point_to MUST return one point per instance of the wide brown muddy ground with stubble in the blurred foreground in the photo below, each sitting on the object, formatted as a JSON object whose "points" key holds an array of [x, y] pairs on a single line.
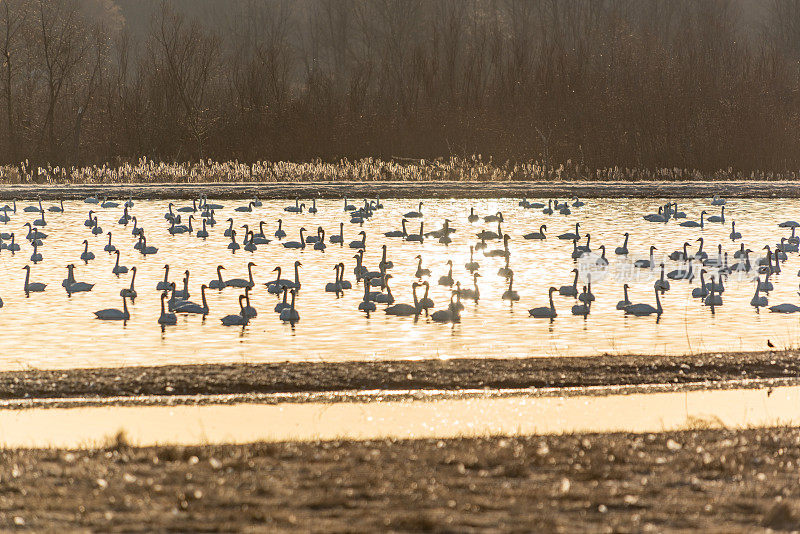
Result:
{"points": [[716, 480]]}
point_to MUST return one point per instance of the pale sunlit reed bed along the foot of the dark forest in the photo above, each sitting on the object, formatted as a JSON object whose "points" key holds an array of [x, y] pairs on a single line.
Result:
{"points": [[455, 169]]}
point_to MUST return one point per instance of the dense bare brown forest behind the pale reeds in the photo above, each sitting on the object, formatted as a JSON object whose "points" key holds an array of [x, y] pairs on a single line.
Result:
{"points": [[640, 83]]}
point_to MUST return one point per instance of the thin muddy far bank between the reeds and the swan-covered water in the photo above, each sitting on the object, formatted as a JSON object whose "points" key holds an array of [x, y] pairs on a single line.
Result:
{"points": [[337, 190]]}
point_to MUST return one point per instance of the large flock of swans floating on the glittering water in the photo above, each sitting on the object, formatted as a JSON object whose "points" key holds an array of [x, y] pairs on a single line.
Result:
{"points": [[198, 220]]}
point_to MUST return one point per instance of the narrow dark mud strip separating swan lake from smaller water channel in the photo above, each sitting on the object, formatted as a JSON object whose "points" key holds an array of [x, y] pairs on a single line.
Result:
{"points": [[453, 374]]}
